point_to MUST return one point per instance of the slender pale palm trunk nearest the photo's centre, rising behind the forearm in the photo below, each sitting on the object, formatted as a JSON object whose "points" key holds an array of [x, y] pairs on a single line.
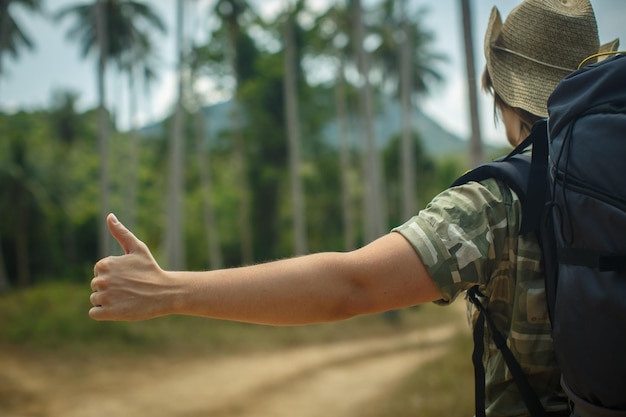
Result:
{"points": [[293, 137]]}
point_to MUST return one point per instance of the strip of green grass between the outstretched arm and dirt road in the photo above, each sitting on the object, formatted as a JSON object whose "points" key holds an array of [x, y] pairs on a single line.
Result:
{"points": [[54, 316]]}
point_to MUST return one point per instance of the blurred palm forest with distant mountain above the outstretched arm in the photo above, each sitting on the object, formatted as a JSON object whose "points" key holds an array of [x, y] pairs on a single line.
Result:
{"points": [[286, 165]]}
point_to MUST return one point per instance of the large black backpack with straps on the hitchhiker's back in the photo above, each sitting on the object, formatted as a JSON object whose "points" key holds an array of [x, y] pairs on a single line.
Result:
{"points": [[573, 195]]}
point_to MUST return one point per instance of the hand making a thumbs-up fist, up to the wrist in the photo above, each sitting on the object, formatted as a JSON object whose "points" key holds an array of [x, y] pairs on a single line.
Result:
{"points": [[129, 287]]}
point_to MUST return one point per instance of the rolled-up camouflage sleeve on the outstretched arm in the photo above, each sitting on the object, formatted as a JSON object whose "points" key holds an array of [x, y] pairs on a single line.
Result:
{"points": [[464, 234]]}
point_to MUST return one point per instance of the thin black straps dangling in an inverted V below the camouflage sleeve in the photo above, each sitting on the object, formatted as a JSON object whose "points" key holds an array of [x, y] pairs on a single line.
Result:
{"points": [[529, 396]]}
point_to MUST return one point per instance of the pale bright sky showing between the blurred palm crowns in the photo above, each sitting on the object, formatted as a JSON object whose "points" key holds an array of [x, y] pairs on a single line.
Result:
{"points": [[55, 63]]}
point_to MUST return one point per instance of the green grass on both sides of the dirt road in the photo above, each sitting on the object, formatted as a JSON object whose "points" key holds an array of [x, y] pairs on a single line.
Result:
{"points": [[52, 319]]}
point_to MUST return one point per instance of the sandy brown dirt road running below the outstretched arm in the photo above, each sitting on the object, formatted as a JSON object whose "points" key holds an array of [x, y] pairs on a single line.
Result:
{"points": [[337, 379]]}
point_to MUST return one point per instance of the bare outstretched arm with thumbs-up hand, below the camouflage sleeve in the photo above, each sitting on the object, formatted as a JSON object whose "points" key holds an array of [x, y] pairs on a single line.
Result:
{"points": [[386, 274]]}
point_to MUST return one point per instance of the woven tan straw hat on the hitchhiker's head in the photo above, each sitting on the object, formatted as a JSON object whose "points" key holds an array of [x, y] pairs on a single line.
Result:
{"points": [[540, 43]]}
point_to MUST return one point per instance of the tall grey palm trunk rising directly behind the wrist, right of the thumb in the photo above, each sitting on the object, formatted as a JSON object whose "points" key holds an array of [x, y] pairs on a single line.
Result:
{"points": [[174, 243]]}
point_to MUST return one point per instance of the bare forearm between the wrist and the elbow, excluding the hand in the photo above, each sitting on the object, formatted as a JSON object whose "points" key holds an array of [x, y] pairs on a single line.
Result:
{"points": [[308, 289]]}
